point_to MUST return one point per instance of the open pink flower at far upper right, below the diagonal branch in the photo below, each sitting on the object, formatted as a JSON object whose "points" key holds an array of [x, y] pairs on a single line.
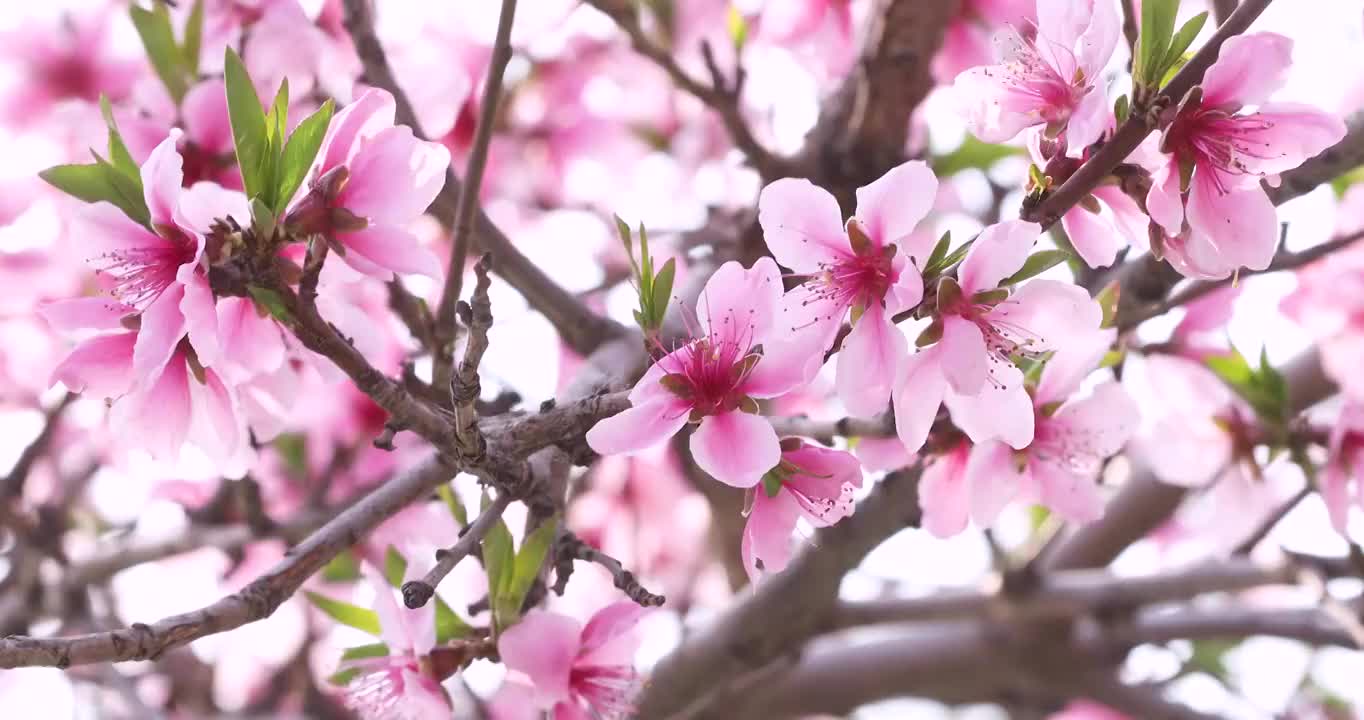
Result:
{"points": [[1208, 196]]}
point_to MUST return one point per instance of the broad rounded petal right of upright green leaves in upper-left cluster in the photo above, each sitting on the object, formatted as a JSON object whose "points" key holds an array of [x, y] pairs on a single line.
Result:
{"points": [[395, 178]]}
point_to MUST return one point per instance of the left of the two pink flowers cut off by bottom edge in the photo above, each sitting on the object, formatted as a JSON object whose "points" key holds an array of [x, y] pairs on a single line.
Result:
{"points": [[399, 687]]}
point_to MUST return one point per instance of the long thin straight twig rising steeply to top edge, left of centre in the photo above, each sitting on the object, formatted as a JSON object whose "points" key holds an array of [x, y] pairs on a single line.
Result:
{"points": [[469, 205]]}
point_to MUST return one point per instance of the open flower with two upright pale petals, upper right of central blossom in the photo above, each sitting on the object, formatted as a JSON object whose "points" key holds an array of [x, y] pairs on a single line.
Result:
{"points": [[861, 269]]}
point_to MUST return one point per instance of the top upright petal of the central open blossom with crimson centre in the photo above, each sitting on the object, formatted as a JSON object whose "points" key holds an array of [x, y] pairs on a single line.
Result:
{"points": [[741, 305]]}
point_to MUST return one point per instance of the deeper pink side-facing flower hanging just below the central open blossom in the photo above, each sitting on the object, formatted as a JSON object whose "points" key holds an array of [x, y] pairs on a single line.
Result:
{"points": [[811, 482]]}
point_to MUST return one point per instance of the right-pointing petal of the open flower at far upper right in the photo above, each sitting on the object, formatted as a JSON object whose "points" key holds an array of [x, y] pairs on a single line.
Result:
{"points": [[1296, 133]]}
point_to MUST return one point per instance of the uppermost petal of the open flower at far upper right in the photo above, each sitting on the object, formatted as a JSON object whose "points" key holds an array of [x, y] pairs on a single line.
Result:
{"points": [[1249, 70]]}
